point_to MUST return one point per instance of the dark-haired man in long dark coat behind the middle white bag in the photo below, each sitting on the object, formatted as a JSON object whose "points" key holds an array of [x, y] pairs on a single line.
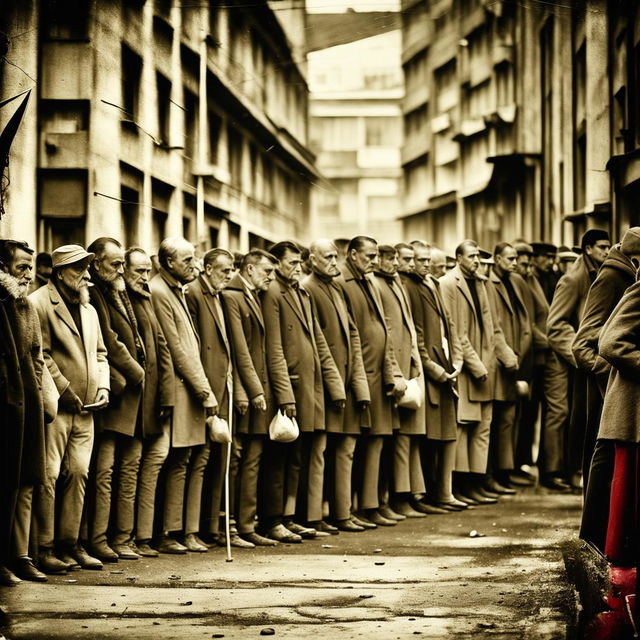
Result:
{"points": [[295, 344]]}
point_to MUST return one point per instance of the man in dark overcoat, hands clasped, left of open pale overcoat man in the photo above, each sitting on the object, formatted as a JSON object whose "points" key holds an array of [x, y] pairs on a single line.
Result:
{"points": [[441, 361]]}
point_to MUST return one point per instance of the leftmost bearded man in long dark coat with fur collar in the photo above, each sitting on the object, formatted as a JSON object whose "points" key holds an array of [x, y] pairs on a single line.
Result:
{"points": [[16, 266]]}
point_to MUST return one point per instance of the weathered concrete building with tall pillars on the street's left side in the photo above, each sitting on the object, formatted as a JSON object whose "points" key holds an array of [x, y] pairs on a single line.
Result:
{"points": [[158, 118]]}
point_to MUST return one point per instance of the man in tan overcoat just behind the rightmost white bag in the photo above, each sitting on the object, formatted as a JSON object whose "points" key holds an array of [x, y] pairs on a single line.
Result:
{"points": [[405, 477]]}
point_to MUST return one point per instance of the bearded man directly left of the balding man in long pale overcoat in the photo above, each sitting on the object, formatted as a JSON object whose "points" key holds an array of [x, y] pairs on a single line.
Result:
{"points": [[157, 397]]}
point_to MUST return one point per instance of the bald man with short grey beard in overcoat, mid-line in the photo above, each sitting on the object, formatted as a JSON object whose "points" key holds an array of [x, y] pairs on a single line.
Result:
{"points": [[343, 425]]}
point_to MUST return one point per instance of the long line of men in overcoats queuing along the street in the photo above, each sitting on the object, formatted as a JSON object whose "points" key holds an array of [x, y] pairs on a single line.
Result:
{"points": [[110, 377]]}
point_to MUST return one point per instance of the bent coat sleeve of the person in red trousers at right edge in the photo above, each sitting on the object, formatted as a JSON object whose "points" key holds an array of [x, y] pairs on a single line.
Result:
{"points": [[619, 342]]}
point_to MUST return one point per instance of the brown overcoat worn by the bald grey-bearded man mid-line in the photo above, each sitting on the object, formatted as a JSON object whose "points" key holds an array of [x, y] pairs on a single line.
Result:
{"points": [[343, 341]]}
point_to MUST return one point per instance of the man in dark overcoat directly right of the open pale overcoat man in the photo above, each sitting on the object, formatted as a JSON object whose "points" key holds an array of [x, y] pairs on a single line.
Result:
{"points": [[507, 292]]}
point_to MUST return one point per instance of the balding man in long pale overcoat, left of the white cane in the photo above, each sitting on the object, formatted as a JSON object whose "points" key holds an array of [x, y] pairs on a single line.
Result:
{"points": [[194, 399]]}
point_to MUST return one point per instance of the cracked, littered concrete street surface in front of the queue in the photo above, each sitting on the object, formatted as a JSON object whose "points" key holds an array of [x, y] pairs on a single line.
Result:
{"points": [[423, 578]]}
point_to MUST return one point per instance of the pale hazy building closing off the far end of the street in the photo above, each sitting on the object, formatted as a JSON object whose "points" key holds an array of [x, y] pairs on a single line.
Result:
{"points": [[355, 123]]}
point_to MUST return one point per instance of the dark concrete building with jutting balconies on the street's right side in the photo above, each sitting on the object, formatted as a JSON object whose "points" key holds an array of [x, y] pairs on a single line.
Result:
{"points": [[519, 120]]}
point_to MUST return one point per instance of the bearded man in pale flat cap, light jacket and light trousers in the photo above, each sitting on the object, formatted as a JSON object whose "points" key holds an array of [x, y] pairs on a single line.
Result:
{"points": [[76, 357]]}
